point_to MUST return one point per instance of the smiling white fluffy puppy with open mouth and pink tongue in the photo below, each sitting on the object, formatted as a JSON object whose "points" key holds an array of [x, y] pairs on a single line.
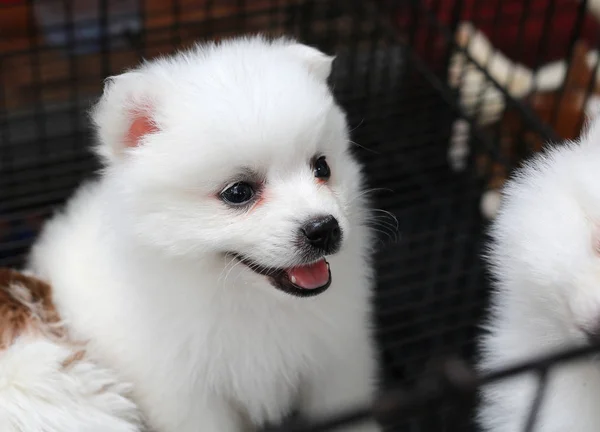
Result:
{"points": [[221, 262]]}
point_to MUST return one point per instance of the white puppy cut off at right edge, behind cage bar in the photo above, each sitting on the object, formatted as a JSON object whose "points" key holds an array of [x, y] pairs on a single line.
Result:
{"points": [[545, 258]]}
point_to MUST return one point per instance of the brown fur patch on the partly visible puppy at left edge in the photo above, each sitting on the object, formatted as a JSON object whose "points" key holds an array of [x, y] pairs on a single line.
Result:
{"points": [[26, 307]]}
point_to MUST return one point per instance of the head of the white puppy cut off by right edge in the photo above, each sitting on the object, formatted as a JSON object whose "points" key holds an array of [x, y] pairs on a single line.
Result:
{"points": [[545, 252]]}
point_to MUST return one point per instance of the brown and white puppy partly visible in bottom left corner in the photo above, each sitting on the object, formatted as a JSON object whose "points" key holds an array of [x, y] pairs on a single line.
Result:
{"points": [[47, 380]]}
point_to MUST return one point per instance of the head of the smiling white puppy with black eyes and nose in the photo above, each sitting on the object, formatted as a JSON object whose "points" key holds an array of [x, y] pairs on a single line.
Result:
{"points": [[234, 150]]}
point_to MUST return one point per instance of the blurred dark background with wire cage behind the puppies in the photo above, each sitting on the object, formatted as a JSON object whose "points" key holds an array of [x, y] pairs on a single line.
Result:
{"points": [[445, 98]]}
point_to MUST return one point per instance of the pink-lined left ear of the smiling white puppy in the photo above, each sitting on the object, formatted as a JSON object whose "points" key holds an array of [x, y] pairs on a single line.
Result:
{"points": [[124, 116]]}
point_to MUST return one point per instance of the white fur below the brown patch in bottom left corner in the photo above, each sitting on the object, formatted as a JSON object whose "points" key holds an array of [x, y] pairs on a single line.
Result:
{"points": [[38, 393]]}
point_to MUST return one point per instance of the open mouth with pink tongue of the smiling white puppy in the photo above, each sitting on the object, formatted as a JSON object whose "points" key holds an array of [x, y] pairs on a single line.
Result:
{"points": [[307, 280]]}
